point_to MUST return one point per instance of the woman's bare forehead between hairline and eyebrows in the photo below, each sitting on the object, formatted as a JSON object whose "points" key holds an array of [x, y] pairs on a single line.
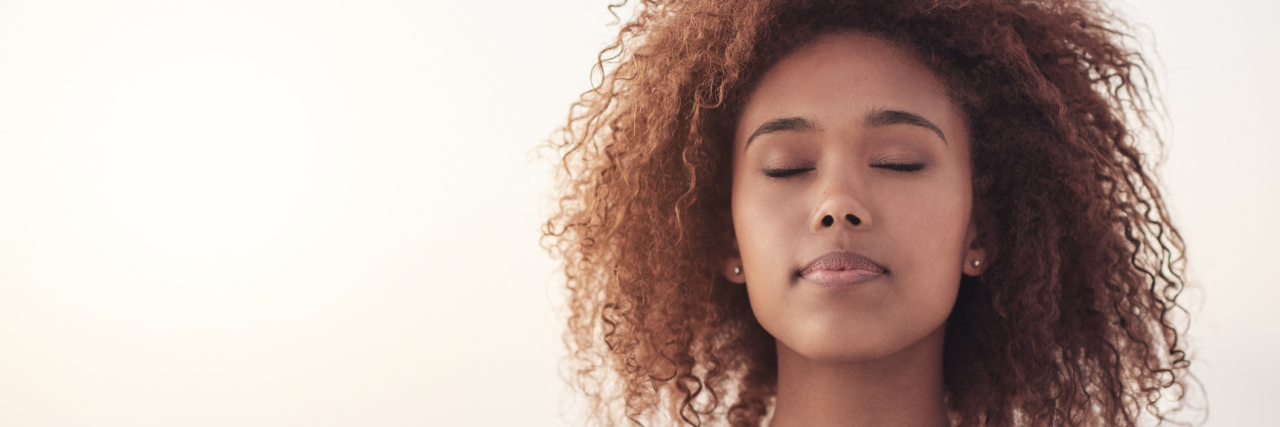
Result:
{"points": [[843, 76]]}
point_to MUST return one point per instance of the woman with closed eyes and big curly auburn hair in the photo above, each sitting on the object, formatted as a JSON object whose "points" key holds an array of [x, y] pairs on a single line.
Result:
{"points": [[868, 214]]}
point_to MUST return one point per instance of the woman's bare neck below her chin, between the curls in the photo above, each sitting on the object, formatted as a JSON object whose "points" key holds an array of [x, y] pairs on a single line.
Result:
{"points": [[902, 391]]}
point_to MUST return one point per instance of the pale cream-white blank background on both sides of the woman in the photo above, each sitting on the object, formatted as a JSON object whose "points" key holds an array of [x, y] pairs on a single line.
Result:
{"points": [[326, 213]]}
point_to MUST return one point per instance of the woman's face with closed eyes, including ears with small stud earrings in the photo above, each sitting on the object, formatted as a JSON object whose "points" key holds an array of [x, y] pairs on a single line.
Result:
{"points": [[852, 201]]}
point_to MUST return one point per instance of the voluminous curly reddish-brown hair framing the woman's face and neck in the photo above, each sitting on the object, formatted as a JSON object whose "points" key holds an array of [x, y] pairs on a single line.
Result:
{"points": [[1076, 322]]}
